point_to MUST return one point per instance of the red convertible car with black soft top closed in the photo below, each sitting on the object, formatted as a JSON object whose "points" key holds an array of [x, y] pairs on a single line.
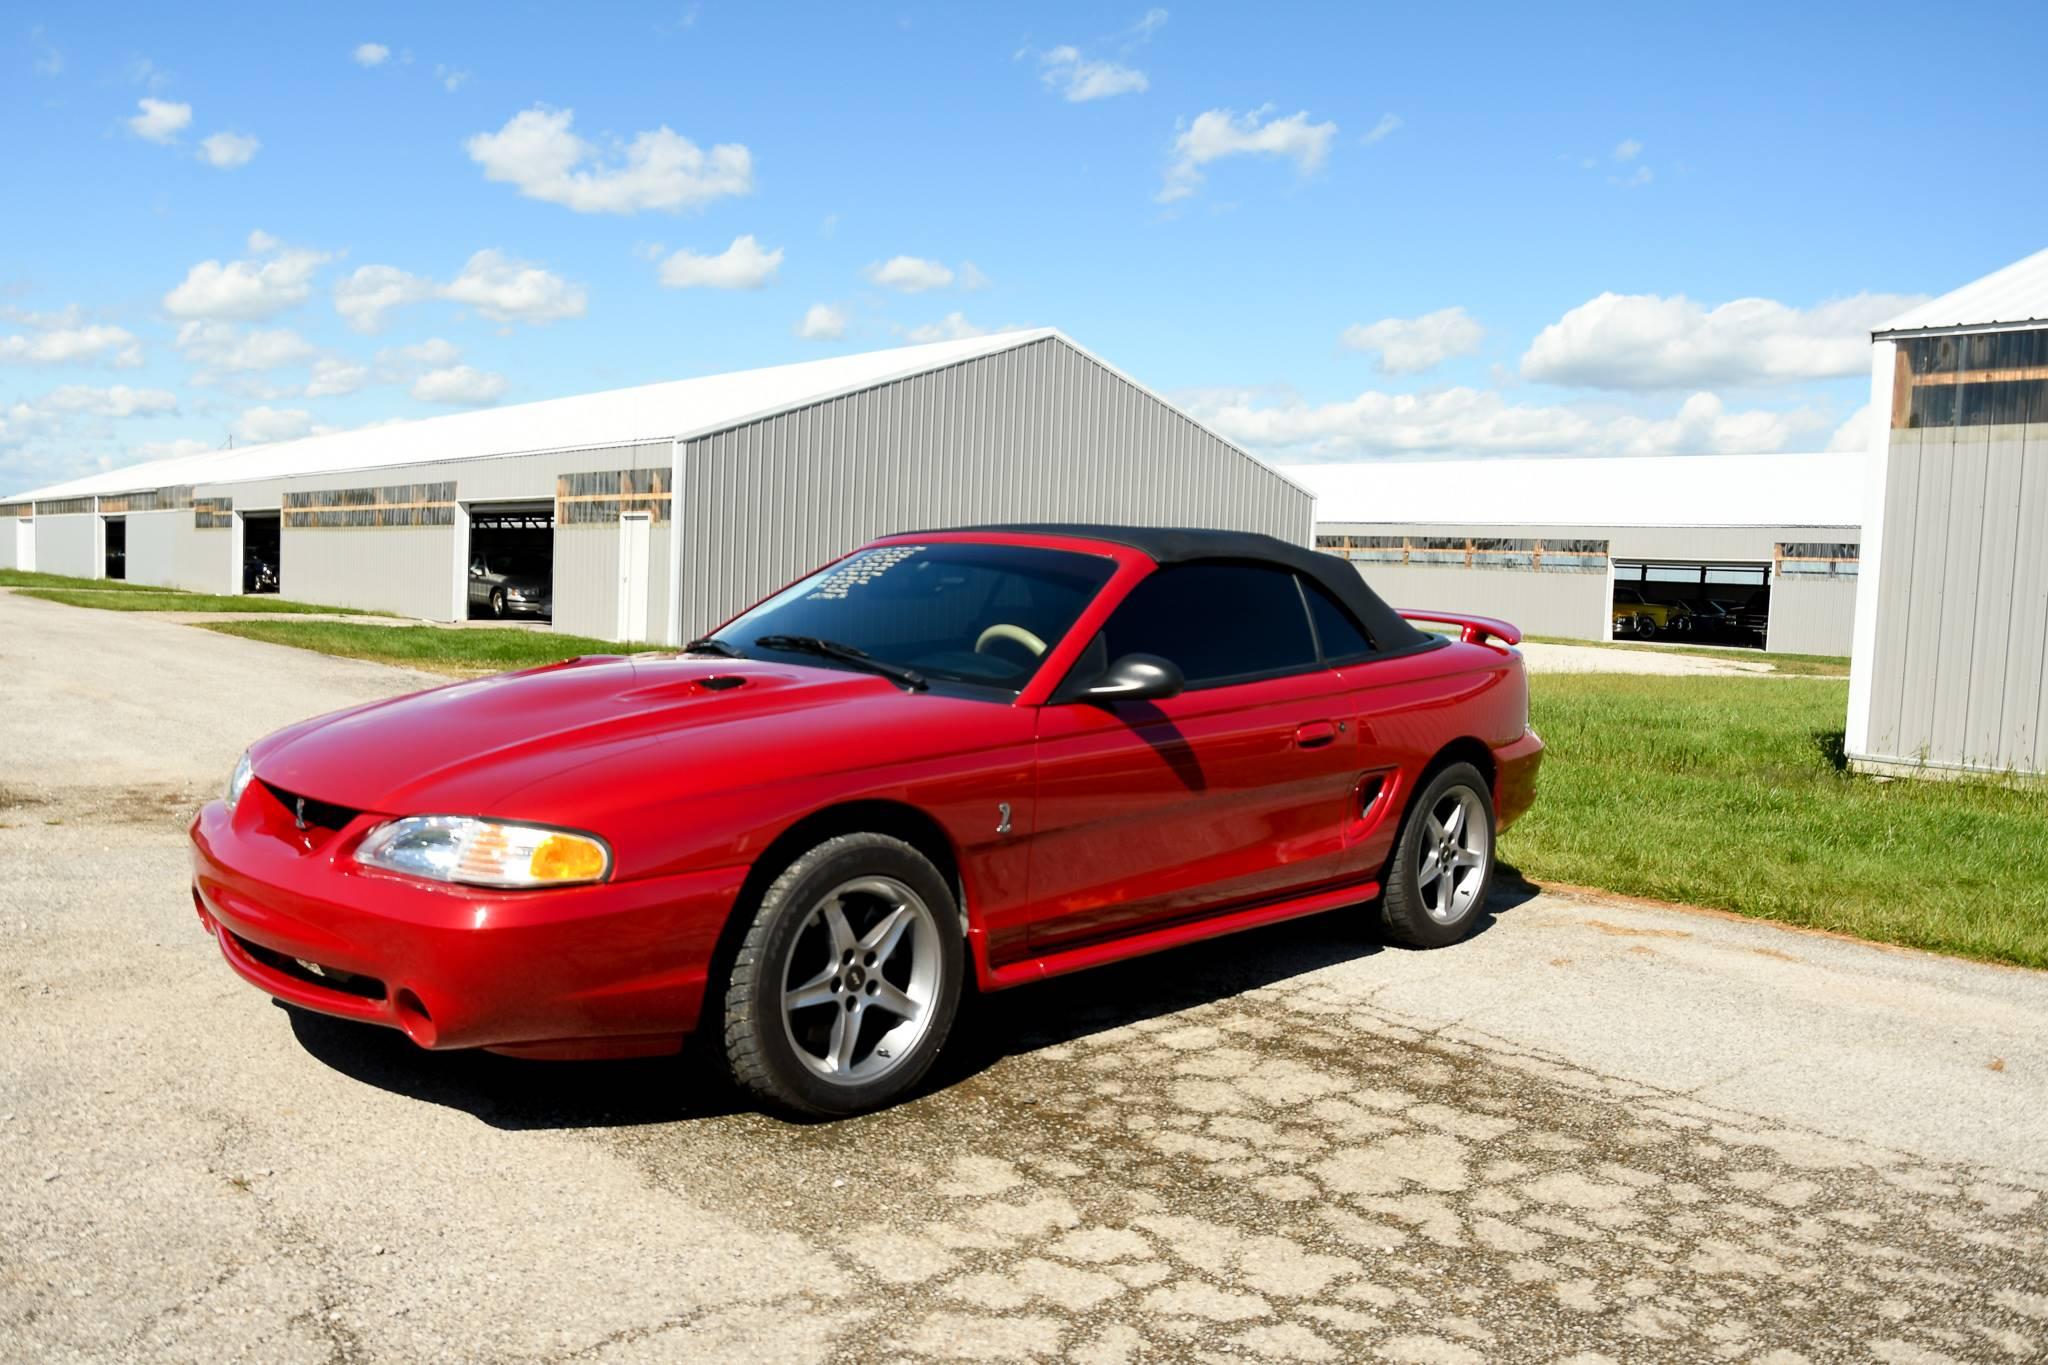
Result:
{"points": [[968, 756]]}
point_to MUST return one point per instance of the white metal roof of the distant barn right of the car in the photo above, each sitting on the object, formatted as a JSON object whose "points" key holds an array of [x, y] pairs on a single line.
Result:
{"points": [[1662, 490]]}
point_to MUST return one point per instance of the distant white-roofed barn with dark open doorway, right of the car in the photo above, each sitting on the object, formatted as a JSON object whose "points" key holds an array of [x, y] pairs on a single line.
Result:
{"points": [[1715, 549]]}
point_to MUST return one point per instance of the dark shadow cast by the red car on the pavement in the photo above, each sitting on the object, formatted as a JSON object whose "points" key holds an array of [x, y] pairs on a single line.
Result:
{"points": [[515, 1094]]}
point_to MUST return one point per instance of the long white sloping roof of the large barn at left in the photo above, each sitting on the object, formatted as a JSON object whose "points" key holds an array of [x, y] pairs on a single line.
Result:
{"points": [[622, 416]]}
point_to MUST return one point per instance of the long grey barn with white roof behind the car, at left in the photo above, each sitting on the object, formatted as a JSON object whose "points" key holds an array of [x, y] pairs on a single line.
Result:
{"points": [[667, 509]]}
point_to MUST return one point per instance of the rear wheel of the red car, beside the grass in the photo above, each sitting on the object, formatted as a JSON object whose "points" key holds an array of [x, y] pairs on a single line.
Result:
{"points": [[1443, 863]]}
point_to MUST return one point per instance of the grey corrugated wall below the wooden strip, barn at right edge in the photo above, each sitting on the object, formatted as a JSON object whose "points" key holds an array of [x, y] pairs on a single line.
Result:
{"points": [[1963, 611]]}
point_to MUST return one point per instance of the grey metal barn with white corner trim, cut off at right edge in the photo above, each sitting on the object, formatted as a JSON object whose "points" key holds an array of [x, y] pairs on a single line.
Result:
{"points": [[1951, 635]]}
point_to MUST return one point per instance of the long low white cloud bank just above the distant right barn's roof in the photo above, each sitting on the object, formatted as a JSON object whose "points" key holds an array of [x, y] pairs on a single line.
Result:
{"points": [[1484, 423]]}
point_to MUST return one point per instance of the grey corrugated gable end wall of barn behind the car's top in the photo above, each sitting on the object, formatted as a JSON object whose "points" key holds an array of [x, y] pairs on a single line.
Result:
{"points": [[1031, 435]]}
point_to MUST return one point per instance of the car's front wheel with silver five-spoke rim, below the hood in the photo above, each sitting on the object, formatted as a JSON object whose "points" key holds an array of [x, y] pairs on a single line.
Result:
{"points": [[849, 979]]}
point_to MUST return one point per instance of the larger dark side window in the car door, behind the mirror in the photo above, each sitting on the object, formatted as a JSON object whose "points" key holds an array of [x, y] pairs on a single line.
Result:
{"points": [[1215, 621]]}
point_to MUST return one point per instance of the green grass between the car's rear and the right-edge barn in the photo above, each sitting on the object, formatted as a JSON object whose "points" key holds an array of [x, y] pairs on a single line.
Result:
{"points": [[1732, 793]]}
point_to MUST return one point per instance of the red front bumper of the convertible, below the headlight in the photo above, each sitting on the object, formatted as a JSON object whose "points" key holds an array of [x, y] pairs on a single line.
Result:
{"points": [[587, 971]]}
